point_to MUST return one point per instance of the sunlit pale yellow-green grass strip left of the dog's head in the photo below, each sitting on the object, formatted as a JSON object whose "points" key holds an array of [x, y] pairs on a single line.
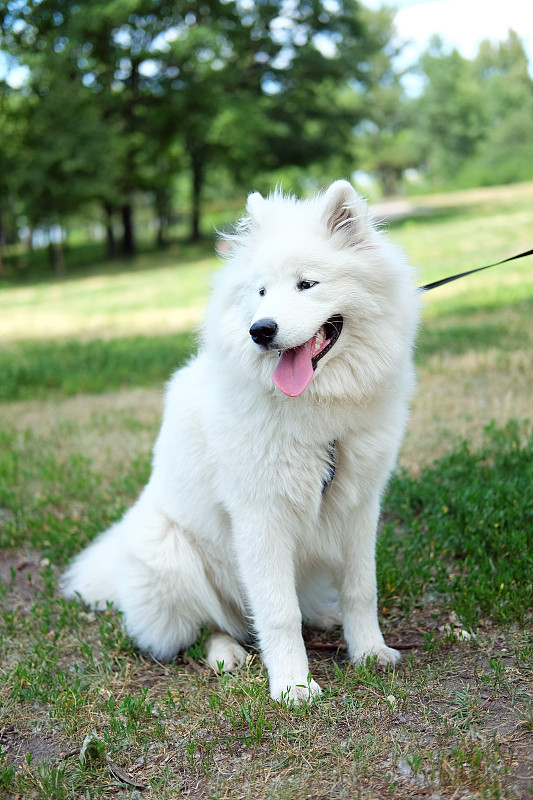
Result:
{"points": [[161, 300]]}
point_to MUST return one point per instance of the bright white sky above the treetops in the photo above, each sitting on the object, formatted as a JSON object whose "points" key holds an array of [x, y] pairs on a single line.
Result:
{"points": [[461, 23]]}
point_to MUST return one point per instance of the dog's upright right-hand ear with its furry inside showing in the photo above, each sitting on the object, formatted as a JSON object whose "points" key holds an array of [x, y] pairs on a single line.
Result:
{"points": [[345, 212]]}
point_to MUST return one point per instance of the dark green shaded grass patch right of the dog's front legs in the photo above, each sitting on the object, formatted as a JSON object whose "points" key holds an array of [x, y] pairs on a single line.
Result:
{"points": [[462, 530]]}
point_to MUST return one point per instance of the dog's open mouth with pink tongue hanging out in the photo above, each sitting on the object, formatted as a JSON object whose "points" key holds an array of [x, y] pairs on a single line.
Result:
{"points": [[296, 365]]}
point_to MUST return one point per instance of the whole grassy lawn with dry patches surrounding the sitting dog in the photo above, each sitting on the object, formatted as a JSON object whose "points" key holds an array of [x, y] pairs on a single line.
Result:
{"points": [[84, 714]]}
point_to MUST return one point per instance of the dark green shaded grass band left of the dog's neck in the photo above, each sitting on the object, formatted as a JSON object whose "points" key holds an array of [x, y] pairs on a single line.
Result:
{"points": [[34, 370]]}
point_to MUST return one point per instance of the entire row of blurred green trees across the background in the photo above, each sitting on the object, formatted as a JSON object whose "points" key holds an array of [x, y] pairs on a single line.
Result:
{"points": [[131, 109]]}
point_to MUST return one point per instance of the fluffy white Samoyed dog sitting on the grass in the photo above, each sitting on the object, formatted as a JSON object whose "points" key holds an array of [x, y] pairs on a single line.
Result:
{"points": [[276, 444]]}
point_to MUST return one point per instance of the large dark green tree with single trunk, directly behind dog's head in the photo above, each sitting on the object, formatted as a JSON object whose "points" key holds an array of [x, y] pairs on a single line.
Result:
{"points": [[258, 86]]}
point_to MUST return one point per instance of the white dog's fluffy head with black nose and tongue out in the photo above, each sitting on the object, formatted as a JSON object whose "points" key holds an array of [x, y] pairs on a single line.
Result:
{"points": [[313, 298]]}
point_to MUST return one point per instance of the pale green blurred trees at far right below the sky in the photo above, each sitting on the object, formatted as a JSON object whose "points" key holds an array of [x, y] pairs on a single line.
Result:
{"points": [[474, 117]]}
